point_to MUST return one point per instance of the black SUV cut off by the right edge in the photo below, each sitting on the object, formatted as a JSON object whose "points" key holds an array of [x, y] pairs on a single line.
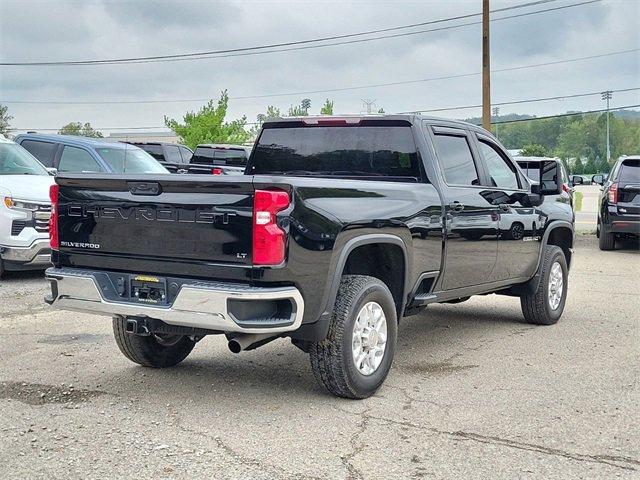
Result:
{"points": [[619, 202]]}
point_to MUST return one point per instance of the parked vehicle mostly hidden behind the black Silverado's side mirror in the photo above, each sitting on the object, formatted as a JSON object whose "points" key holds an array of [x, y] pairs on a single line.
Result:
{"points": [[550, 173]]}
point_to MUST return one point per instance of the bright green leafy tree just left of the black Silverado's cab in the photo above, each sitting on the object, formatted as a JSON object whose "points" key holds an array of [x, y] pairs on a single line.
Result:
{"points": [[208, 125]]}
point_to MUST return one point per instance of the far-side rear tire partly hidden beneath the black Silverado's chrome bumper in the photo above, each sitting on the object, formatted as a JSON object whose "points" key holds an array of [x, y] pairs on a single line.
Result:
{"points": [[152, 350]]}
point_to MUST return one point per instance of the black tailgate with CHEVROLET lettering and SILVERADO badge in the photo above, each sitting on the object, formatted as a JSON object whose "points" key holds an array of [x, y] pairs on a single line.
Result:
{"points": [[177, 218]]}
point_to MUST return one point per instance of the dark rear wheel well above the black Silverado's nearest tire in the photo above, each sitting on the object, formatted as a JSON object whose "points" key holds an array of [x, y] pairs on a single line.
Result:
{"points": [[384, 261]]}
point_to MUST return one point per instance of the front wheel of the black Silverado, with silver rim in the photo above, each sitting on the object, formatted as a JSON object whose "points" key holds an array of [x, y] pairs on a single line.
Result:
{"points": [[546, 304]]}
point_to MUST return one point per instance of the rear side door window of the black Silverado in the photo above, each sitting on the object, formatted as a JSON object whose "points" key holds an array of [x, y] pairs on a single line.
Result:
{"points": [[456, 159]]}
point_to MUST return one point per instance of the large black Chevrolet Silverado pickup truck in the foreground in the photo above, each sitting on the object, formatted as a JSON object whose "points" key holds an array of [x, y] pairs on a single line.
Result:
{"points": [[339, 228]]}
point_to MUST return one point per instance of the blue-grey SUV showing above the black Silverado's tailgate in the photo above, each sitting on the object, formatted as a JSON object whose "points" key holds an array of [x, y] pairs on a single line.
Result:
{"points": [[72, 154]]}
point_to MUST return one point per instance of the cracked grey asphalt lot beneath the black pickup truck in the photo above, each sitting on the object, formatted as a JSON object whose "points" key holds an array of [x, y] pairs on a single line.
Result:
{"points": [[474, 393]]}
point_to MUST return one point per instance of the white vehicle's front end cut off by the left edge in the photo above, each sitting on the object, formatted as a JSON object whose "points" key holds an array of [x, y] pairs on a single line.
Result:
{"points": [[24, 211]]}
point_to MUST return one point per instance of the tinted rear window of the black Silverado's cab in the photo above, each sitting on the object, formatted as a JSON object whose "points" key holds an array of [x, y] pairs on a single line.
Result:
{"points": [[371, 151]]}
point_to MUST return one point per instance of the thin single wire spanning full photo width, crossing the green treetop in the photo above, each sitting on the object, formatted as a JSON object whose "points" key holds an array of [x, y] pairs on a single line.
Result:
{"points": [[330, 90]]}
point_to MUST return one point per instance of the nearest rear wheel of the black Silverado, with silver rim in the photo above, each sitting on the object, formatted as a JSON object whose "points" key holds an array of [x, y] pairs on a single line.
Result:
{"points": [[355, 358]]}
